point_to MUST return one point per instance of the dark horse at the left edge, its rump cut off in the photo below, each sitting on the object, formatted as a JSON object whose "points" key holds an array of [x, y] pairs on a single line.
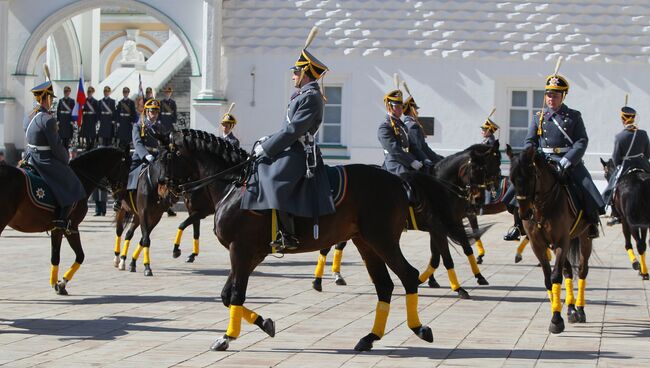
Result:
{"points": [[20, 213]]}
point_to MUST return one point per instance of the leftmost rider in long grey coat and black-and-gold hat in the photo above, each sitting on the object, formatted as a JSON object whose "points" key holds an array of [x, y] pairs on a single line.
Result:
{"points": [[50, 158]]}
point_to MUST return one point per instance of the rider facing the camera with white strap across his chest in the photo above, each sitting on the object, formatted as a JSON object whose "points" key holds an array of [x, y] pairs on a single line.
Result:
{"points": [[563, 138]]}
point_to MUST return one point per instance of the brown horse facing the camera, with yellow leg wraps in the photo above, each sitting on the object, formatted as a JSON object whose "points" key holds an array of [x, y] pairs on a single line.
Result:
{"points": [[551, 220]]}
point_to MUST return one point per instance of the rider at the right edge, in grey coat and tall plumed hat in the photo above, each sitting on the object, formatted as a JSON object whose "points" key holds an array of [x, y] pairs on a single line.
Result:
{"points": [[631, 150]]}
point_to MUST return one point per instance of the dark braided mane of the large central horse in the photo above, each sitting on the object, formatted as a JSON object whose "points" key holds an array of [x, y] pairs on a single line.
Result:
{"points": [[199, 141]]}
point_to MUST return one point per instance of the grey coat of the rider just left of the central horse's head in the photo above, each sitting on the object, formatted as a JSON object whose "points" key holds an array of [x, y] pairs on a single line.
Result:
{"points": [[142, 146]]}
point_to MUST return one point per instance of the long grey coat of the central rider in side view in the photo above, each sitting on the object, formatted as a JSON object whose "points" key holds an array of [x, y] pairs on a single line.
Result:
{"points": [[279, 179]]}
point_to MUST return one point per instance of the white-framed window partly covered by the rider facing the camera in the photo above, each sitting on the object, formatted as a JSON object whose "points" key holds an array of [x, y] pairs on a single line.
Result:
{"points": [[524, 104]]}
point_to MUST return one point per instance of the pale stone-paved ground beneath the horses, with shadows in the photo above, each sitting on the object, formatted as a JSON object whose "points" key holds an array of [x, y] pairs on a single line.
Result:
{"points": [[120, 319]]}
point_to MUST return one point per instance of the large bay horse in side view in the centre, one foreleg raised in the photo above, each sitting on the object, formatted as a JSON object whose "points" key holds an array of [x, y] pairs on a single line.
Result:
{"points": [[372, 214]]}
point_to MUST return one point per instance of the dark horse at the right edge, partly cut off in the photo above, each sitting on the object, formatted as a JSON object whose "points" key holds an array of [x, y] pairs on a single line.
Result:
{"points": [[631, 201]]}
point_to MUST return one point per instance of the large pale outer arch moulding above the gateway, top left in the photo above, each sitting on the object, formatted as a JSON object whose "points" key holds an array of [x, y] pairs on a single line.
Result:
{"points": [[26, 59]]}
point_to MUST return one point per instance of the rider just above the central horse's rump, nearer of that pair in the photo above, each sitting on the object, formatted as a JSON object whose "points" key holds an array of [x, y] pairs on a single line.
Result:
{"points": [[394, 138]]}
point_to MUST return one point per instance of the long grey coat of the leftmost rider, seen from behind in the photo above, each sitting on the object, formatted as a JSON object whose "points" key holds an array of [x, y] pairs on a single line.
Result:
{"points": [[52, 163]]}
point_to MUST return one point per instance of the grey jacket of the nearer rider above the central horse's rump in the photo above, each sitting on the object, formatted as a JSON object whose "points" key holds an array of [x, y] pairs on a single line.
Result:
{"points": [[397, 158]]}
